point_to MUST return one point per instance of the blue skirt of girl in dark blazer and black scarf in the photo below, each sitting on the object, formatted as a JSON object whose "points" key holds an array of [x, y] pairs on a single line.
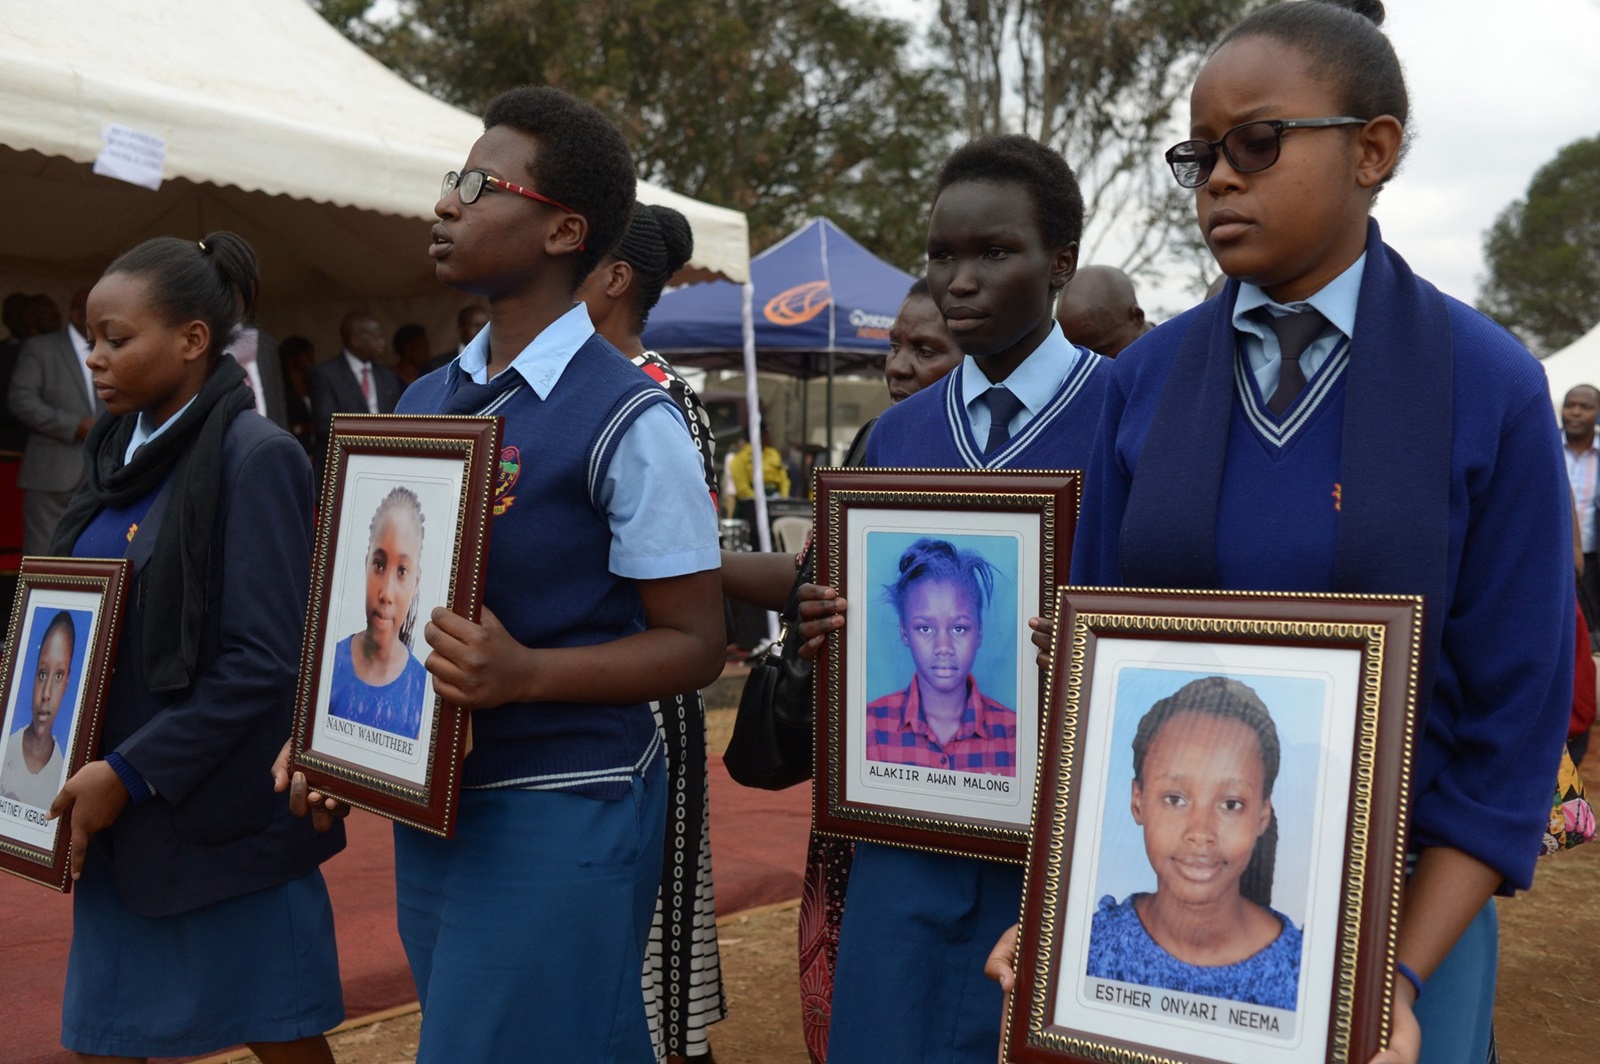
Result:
{"points": [[255, 969]]}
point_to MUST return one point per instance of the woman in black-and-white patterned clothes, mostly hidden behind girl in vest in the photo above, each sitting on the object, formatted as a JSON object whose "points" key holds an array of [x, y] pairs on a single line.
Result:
{"points": [[682, 966]]}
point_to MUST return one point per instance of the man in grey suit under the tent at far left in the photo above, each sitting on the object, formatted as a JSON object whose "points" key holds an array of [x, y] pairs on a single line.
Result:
{"points": [[54, 398]]}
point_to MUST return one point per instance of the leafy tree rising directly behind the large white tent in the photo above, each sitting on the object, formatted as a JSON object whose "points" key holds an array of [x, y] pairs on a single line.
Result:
{"points": [[782, 111]]}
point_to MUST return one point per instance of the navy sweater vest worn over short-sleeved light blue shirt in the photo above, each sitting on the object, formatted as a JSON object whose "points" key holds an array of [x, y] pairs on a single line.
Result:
{"points": [[550, 578]]}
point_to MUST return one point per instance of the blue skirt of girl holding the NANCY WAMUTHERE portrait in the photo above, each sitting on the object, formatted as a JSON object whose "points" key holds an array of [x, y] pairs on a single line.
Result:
{"points": [[527, 930]]}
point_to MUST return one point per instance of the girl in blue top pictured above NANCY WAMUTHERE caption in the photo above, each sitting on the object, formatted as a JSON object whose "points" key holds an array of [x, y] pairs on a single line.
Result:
{"points": [[377, 679]]}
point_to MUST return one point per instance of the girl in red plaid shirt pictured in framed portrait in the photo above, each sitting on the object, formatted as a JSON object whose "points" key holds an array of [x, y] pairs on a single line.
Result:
{"points": [[942, 719]]}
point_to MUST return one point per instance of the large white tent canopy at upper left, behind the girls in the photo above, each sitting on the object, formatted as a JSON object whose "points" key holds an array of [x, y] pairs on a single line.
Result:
{"points": [[274, 126]]}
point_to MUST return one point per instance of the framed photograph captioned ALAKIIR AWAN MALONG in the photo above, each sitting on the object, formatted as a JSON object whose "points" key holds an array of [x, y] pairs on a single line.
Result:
{"points": [[929, 718]]}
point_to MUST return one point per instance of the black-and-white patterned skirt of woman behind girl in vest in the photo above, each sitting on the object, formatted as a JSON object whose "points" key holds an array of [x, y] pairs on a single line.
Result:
{"points": [[682, 967]]}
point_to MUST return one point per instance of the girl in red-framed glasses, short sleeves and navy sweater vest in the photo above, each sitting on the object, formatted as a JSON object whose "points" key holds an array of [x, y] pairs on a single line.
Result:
{"points": [[527, 930]]}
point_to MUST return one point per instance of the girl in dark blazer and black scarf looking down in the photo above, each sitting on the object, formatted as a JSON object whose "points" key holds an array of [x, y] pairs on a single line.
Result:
{"points": [[201, 919]]}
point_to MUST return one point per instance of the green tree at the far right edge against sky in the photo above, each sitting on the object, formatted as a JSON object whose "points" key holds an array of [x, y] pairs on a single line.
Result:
{"points": [[1543, 254]]}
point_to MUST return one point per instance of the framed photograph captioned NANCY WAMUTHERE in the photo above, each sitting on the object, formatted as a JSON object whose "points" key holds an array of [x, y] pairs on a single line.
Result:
{"points": [[404, 529]]}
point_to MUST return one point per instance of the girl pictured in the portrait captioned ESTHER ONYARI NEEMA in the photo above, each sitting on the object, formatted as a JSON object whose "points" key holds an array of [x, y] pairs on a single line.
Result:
{"points": [[1204, 764]]}
